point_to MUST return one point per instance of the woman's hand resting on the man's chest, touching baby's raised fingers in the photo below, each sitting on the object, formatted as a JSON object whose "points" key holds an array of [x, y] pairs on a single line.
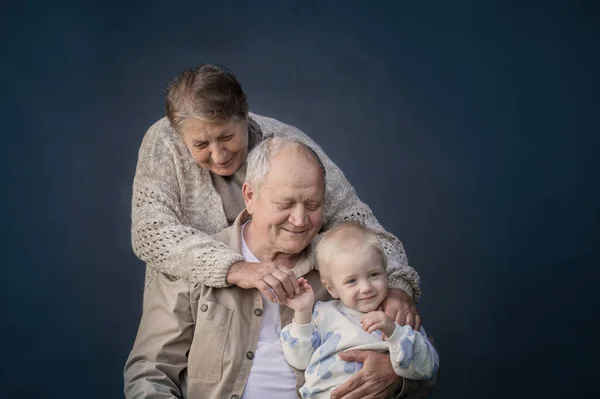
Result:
{"points": [[277, 282]]}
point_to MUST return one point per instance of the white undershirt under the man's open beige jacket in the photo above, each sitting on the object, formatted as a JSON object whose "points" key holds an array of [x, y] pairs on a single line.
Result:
{"points": [[270, 375]]}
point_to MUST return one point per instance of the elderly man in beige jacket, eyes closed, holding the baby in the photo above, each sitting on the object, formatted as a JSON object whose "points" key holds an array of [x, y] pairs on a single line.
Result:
{"points": [[196, 341]]}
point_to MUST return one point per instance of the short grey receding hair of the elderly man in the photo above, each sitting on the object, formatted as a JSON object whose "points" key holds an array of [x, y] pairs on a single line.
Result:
{"points": [[259, 159]]}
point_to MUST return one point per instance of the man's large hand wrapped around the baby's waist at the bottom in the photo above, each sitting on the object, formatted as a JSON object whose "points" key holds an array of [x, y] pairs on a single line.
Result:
{"points": [[376, 380]]}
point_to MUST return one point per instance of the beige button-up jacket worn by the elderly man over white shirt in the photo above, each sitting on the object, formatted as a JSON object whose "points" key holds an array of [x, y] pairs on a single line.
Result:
{"points": [[199, 342]]}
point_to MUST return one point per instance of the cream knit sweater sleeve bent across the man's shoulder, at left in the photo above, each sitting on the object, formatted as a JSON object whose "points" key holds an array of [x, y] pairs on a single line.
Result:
{"points": [[158, 236]]}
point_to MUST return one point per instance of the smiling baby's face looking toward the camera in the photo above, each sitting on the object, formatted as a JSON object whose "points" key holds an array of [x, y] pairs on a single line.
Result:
{"points": [[358, 279]]}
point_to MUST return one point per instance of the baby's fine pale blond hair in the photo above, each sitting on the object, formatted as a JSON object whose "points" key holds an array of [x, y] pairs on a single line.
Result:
{"points": [[346, 237]]}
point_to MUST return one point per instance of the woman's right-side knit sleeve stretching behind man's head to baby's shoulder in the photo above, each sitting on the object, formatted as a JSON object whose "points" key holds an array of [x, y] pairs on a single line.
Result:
{"points": [[342, 205]]}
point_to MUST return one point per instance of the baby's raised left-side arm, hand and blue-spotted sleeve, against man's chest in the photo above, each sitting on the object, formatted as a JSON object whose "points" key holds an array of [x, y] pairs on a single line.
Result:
{"points": [[300, 338]]}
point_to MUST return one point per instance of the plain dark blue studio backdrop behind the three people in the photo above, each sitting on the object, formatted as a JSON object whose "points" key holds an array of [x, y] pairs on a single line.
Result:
{"points": [[471, 128]]}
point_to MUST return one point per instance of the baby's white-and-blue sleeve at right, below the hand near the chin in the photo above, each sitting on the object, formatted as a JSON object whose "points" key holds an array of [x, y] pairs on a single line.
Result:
{"points": [[412, 355]]}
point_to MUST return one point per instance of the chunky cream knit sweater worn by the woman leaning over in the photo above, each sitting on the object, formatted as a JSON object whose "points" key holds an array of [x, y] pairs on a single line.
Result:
{"points": [[175, 209]]}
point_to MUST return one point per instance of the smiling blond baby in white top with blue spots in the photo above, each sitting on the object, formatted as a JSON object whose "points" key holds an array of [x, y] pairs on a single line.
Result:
{"points": [[352, 267]]}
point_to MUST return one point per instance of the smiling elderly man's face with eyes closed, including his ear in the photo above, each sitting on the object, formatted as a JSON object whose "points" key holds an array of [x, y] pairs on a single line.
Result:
{"points": [[287, 211]]}
